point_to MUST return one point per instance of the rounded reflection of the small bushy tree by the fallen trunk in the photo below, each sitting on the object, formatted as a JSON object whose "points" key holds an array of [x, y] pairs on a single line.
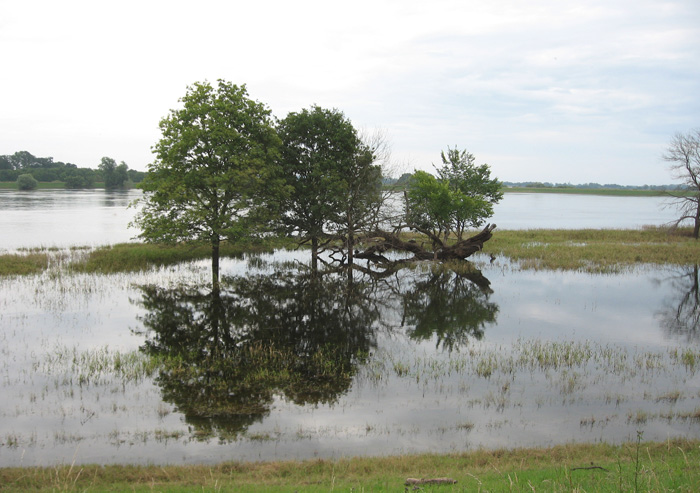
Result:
{"points": [[453, 307]]}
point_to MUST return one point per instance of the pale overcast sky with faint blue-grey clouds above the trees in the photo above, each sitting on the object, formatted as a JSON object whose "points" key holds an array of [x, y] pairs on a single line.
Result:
{"points": [[541, 90]]}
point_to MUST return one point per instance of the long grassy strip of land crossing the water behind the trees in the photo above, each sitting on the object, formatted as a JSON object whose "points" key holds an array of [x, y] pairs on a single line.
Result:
{"points": [[588, 250]]}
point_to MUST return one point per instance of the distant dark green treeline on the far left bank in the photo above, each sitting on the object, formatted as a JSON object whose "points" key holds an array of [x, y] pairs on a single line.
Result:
{"points": [[46, 170]]}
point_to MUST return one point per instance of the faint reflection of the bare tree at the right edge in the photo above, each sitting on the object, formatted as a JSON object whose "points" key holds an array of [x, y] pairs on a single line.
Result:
{"points": [[682, 316]]}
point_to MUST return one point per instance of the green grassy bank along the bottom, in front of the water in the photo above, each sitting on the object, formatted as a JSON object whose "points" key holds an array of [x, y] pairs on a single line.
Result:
{"points": [[667, 466]]}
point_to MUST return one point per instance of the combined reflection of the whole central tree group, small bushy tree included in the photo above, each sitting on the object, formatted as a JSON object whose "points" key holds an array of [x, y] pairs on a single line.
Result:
{"points": [[296, 335]]}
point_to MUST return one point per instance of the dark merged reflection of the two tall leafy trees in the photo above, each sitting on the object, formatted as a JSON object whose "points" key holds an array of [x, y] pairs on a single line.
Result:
{"points": [[226, 355]]}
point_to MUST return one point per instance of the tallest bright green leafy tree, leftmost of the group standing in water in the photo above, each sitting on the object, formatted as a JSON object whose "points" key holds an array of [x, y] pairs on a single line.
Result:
{"points": [[216, 154]]}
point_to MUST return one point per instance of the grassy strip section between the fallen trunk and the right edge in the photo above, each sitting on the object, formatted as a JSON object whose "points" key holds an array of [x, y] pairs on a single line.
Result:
{"points": [[595, 250]]}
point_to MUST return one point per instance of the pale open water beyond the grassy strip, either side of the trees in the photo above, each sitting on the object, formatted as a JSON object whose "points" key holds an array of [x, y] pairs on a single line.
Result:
{"points": [[62, 218]]}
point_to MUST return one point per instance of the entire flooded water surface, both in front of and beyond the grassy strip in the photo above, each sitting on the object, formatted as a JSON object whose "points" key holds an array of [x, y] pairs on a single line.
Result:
{"points": [[421, 360]]}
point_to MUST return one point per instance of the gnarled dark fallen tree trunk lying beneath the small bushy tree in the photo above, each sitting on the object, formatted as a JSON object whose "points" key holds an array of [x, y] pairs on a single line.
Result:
{"points": [[385, 241]]}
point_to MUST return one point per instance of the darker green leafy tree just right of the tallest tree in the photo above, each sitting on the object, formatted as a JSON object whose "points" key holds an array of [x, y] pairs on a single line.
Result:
{"points": [[329, 171]]}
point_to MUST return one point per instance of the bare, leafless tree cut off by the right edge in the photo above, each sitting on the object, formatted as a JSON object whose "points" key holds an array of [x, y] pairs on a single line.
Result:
{"points": [[684, 155]]}
